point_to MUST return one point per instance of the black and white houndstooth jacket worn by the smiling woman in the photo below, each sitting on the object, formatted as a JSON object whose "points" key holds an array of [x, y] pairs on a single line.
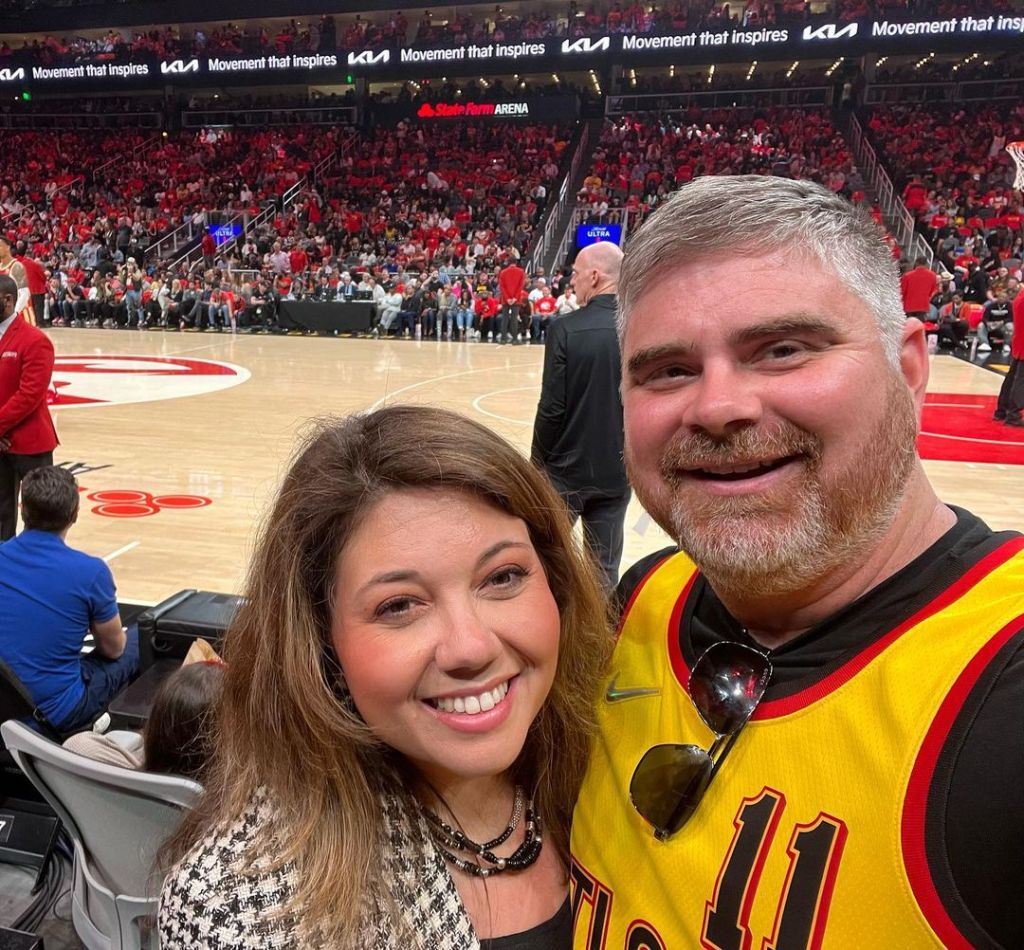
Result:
{"points": [[209, 900]]}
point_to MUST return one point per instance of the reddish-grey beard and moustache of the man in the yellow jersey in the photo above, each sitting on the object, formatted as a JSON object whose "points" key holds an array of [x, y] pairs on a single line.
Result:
{"points": [[782, 541]]}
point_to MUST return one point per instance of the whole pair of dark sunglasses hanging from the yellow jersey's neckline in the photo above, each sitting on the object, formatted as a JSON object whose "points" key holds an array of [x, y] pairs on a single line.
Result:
{"points": [[726, 686]]}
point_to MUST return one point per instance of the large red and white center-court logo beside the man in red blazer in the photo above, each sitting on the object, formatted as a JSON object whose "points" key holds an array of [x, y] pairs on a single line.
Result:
{"points": [[83, 381]]}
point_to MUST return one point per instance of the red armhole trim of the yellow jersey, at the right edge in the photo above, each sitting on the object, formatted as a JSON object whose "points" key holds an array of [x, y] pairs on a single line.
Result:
{"points": [[916, 803]]}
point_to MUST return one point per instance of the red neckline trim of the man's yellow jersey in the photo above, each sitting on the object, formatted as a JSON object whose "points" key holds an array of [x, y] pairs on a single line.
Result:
{"points": [[772, 709]]}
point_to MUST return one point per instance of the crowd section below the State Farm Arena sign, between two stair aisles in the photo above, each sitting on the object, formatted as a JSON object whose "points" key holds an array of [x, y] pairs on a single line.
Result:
{"points": [[428, 195]]}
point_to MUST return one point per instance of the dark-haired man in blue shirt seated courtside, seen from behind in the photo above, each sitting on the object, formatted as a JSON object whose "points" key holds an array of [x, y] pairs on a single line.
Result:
{"points": [[51, 597]]}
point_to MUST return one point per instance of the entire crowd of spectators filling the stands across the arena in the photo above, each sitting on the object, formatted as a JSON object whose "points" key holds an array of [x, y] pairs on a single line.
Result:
{"points": [[420, 220]]}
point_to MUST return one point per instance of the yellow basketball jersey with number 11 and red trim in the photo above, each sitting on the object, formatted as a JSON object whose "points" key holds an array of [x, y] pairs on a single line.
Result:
{"points": [[813, 835]]}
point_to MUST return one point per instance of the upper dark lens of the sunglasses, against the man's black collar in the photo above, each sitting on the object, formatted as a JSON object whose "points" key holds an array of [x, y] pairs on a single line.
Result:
{"points": [[727, 685]]}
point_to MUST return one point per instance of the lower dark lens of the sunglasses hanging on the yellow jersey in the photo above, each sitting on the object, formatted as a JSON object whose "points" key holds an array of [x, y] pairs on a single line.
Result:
{"points": [[668, 786]]}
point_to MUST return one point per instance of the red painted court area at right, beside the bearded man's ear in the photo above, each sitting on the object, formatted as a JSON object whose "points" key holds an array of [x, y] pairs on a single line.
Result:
{"points": [[960, 428]]}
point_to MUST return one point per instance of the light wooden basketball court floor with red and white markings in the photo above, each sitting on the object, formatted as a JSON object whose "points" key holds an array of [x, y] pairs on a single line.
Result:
{"points": [[180, 441]]}
